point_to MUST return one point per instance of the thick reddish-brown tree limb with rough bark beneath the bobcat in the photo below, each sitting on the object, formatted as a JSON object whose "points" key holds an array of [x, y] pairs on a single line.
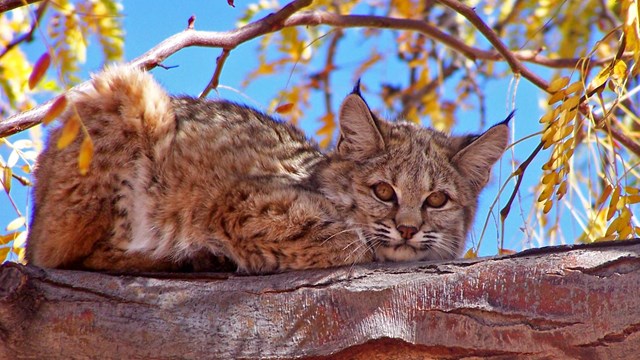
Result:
{"points": [[563, 302]]}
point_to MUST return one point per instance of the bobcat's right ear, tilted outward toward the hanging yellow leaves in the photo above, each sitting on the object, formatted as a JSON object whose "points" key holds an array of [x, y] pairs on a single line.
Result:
{"points": [[479, 153]]}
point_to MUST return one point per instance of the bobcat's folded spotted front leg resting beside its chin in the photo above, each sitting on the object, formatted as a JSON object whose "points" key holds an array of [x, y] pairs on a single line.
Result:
{"points": [[284, 229]]}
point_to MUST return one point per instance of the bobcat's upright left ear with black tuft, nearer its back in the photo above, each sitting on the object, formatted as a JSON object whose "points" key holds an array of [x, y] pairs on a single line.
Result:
{"points": [[360, 135]]}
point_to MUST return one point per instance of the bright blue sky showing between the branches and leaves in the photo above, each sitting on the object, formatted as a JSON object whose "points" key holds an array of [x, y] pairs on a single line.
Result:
{"points": [[149, 22]]}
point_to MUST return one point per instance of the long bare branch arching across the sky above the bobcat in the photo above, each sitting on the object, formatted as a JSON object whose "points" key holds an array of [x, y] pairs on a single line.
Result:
{"points": [[287, 17]]}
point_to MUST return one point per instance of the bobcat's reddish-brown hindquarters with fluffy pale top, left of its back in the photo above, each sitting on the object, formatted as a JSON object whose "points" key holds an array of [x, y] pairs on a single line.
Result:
{"points": [[126, 114]]}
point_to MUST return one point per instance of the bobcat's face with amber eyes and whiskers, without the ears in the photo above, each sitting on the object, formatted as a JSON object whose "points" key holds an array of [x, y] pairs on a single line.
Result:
{"points": [[412, 203]]}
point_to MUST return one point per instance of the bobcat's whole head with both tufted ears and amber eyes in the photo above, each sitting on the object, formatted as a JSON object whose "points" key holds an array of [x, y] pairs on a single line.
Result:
{"points": [[410, 192]]}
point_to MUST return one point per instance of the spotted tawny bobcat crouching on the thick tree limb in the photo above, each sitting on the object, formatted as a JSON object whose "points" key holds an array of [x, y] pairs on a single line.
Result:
{"points": [[179, 183]]}
